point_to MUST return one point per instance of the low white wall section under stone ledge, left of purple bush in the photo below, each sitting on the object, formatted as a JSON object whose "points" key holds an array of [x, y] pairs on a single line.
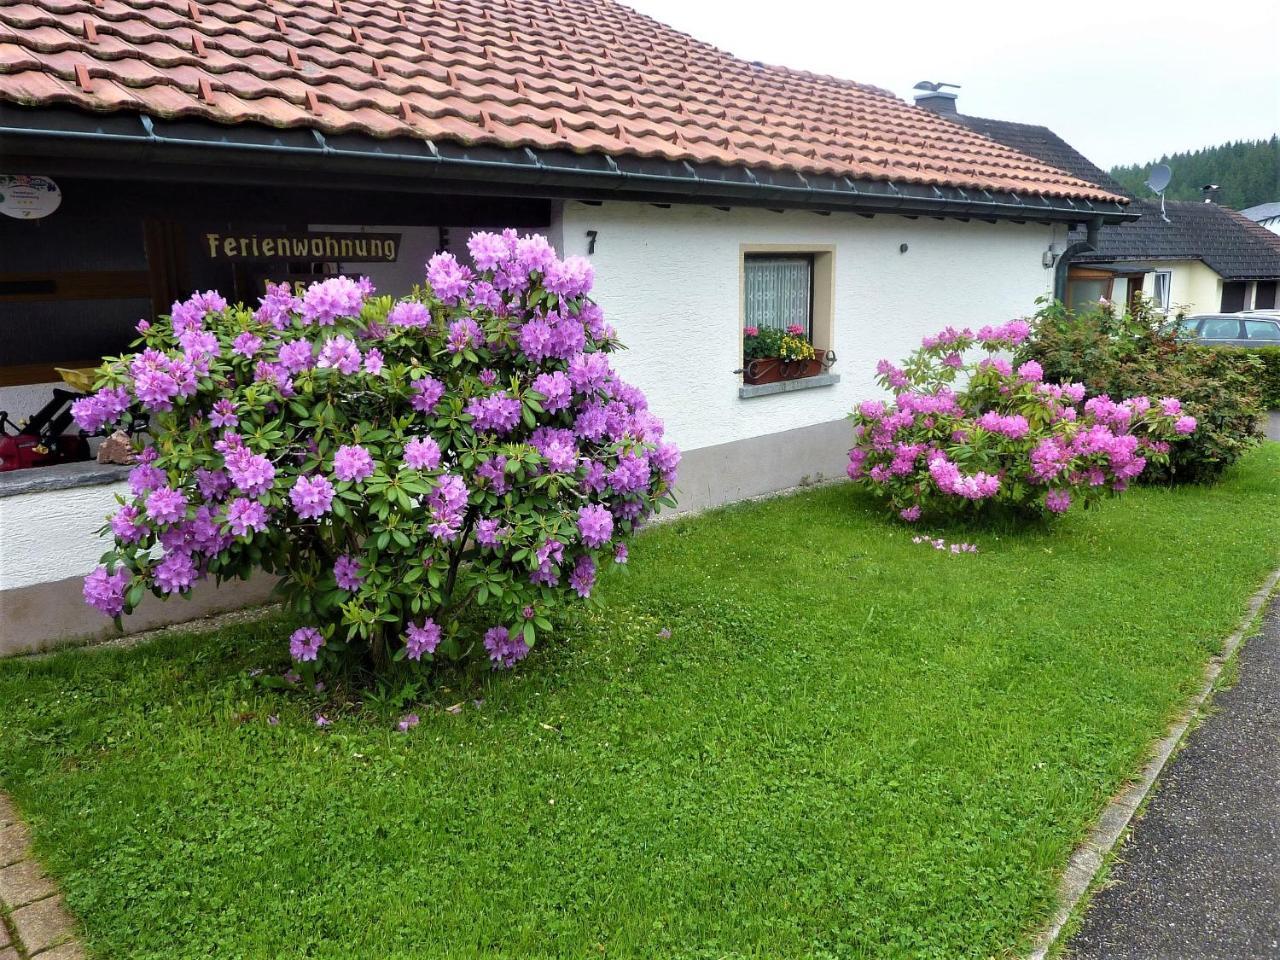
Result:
{"points": [[51, 536]]}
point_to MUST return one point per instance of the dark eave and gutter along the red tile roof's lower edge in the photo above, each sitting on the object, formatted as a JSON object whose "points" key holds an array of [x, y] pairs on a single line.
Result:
{"points": [[139, 147]]}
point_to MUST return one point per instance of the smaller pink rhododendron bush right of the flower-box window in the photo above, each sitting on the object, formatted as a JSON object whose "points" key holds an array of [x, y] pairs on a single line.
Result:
{"points": [[967, 431]]}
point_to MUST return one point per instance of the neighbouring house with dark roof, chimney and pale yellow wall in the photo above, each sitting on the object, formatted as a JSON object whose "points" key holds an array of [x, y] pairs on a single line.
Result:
{"points": [[1204, 259]]}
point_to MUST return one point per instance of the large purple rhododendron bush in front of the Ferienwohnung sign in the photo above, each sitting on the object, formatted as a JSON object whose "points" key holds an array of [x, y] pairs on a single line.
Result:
{"points": [[465, 455]]}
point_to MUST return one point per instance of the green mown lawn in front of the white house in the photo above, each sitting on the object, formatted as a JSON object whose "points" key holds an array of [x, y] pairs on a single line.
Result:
{"points": [[848, 746]]}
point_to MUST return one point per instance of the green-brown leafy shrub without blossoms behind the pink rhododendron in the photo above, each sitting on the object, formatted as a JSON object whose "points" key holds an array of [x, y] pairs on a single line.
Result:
{"points": [[1127, 354]]}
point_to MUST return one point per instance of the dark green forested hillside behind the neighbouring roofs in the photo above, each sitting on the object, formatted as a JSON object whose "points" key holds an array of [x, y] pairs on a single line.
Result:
{"points": [[1249, 173]]}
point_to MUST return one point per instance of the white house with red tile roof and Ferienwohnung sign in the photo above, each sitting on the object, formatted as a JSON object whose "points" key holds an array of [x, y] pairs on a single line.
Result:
{"points": [[194, 144]]}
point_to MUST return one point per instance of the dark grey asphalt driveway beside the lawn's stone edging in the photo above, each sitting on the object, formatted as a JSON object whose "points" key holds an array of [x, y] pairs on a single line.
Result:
{"points": [[1201, 875]]}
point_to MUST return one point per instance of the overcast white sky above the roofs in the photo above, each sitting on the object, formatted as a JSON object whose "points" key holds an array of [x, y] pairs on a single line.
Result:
{"points": [[1122, 81]]}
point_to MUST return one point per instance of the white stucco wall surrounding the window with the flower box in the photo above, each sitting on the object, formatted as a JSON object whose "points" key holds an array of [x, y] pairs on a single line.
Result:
{"points": [[669, 281]]}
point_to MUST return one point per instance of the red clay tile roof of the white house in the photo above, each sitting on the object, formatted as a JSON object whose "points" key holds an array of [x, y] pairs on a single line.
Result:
{"points": [[591, 76]]}
